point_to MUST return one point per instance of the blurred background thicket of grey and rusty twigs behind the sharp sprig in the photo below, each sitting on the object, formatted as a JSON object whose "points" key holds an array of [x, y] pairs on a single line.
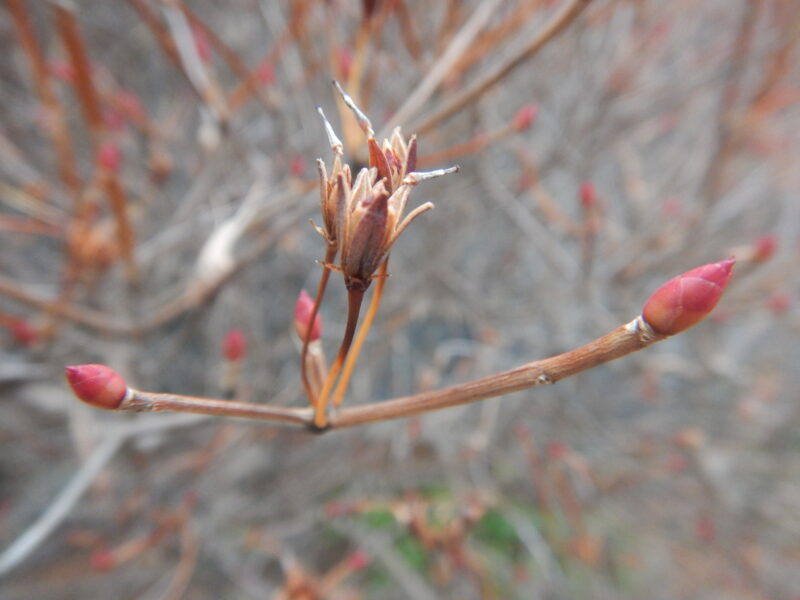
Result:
{"points": [[156, 193]]}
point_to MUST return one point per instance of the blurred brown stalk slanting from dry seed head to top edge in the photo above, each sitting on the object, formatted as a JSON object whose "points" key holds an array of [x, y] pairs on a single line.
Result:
{"points": [[556, 25]]}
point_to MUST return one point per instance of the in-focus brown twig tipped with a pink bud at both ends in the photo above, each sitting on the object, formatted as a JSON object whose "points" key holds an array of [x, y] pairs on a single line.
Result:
{"points": [[677, 305]]}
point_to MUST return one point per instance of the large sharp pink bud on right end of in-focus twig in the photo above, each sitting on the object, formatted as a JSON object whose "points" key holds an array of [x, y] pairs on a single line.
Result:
{"points": [[687, 299]]}
